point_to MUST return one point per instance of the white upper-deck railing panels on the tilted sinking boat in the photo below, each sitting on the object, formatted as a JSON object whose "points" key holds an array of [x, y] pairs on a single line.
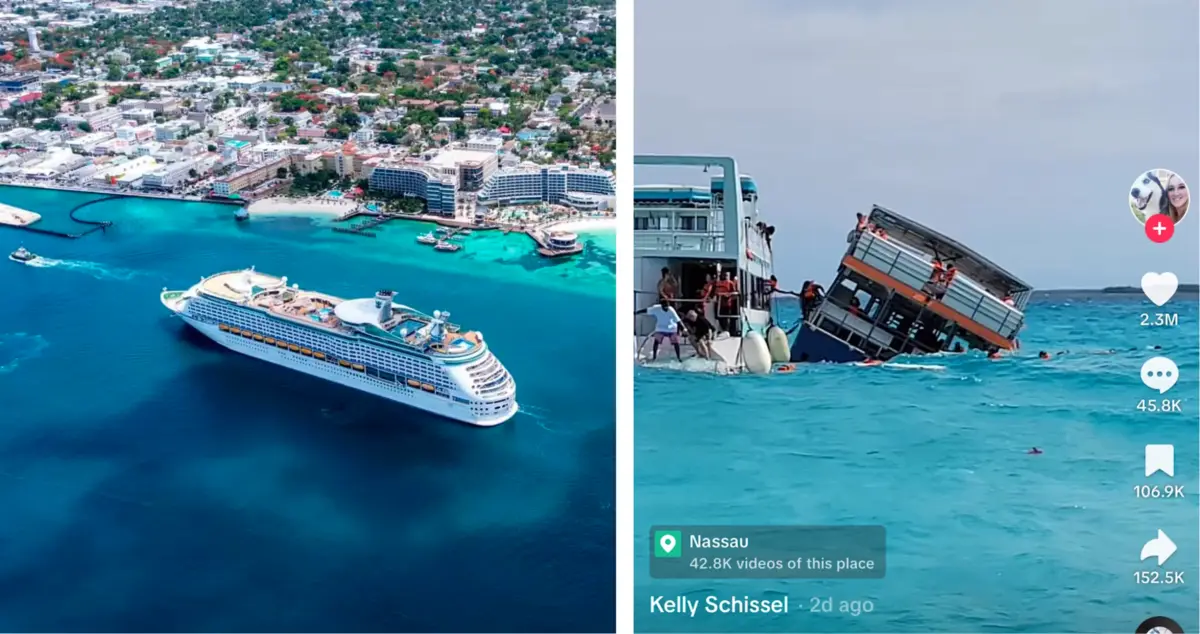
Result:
{"points": [[963, 296]]}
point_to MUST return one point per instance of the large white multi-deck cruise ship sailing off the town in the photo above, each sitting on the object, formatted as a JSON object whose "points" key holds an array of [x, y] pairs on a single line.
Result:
{"points": [[374, 345]]}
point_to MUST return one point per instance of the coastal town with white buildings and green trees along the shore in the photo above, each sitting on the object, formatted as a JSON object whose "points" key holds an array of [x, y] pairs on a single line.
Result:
{"points": [[470, 113]]}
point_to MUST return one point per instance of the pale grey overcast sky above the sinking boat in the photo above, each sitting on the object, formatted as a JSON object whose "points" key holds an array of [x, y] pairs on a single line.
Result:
{"points": [[1016, 128]]}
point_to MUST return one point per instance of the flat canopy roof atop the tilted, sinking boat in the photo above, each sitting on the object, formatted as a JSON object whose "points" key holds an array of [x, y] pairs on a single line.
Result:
{"points": [[950, 250]]}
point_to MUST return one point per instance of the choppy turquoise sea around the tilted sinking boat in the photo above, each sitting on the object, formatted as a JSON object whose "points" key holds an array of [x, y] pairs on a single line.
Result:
{"points": [[982, 537]]}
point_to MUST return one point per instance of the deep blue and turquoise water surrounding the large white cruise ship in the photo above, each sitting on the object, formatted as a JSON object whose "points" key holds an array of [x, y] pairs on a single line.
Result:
{"points": [[152, 481]]}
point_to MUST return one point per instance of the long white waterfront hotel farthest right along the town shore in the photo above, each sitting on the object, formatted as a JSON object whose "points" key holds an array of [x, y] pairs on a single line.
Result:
{"points": [[561, 184]]}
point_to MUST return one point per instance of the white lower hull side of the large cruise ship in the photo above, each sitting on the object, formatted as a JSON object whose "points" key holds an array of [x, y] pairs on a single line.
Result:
{"points": [[349, 378]]}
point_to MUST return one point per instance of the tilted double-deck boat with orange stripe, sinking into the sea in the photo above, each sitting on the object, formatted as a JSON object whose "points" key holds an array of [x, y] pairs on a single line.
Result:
{"points": [[891, 297]]}
